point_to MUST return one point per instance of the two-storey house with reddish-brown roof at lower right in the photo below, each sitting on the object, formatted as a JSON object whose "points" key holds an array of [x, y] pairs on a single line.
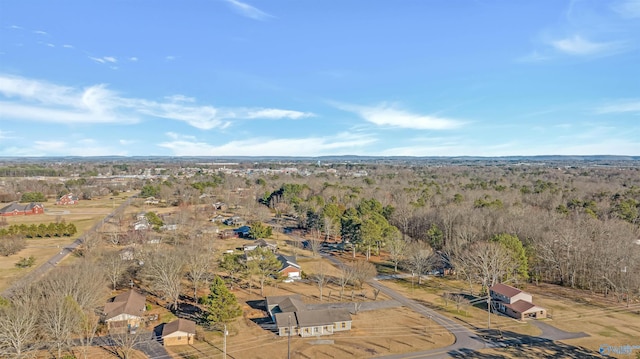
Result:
{"points": [[515, 303]]}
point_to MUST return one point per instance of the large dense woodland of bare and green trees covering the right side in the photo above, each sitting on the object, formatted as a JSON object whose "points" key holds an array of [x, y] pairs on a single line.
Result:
{"points": [[528, 223]]}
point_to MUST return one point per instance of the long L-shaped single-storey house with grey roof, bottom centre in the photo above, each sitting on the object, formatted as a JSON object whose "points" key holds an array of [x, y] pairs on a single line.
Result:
{"points": [[292, 317]]}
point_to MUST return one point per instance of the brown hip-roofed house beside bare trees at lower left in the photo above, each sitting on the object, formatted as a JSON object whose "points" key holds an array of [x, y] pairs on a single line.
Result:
{"points": [[123, 313]]}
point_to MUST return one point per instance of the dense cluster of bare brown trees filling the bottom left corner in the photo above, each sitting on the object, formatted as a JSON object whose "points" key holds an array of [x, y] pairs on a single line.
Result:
{"points": [[57, 311]]}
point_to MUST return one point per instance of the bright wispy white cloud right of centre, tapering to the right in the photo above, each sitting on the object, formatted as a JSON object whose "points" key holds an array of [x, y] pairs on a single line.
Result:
{"points": [[391, 116]]}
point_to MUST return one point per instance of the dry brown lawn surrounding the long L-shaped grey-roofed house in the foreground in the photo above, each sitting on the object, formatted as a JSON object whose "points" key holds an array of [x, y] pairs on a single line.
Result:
{"points": [[403, 332]]}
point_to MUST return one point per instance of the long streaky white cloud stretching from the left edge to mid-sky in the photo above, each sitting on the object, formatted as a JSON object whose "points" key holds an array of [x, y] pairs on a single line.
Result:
{"points": [[45, 102]]}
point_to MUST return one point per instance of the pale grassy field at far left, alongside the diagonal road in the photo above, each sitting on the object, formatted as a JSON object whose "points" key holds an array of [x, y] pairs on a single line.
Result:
{"points": [[84, 215]]}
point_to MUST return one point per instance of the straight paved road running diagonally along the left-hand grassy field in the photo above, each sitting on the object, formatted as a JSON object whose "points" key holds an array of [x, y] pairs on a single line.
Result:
{"points": [[57, 258]]}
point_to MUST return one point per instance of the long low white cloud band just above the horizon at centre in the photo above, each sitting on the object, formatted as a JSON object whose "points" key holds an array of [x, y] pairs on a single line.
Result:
{"points": [[311, 146]]}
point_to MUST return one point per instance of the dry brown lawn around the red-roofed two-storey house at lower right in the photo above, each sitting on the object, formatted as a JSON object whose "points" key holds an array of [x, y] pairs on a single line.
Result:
{"points": [[572, 310]]}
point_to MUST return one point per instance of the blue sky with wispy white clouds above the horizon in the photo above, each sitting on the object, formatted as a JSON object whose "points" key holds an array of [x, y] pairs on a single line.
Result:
{"points": [[319, 77]]}
